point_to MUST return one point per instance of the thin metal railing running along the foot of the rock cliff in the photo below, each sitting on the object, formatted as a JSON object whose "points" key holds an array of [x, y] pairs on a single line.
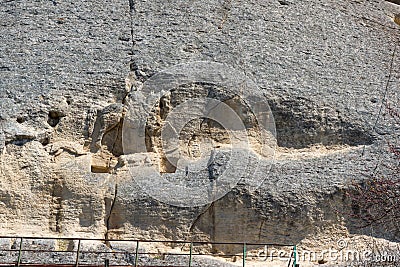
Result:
{"points": [[135, 252]]}
